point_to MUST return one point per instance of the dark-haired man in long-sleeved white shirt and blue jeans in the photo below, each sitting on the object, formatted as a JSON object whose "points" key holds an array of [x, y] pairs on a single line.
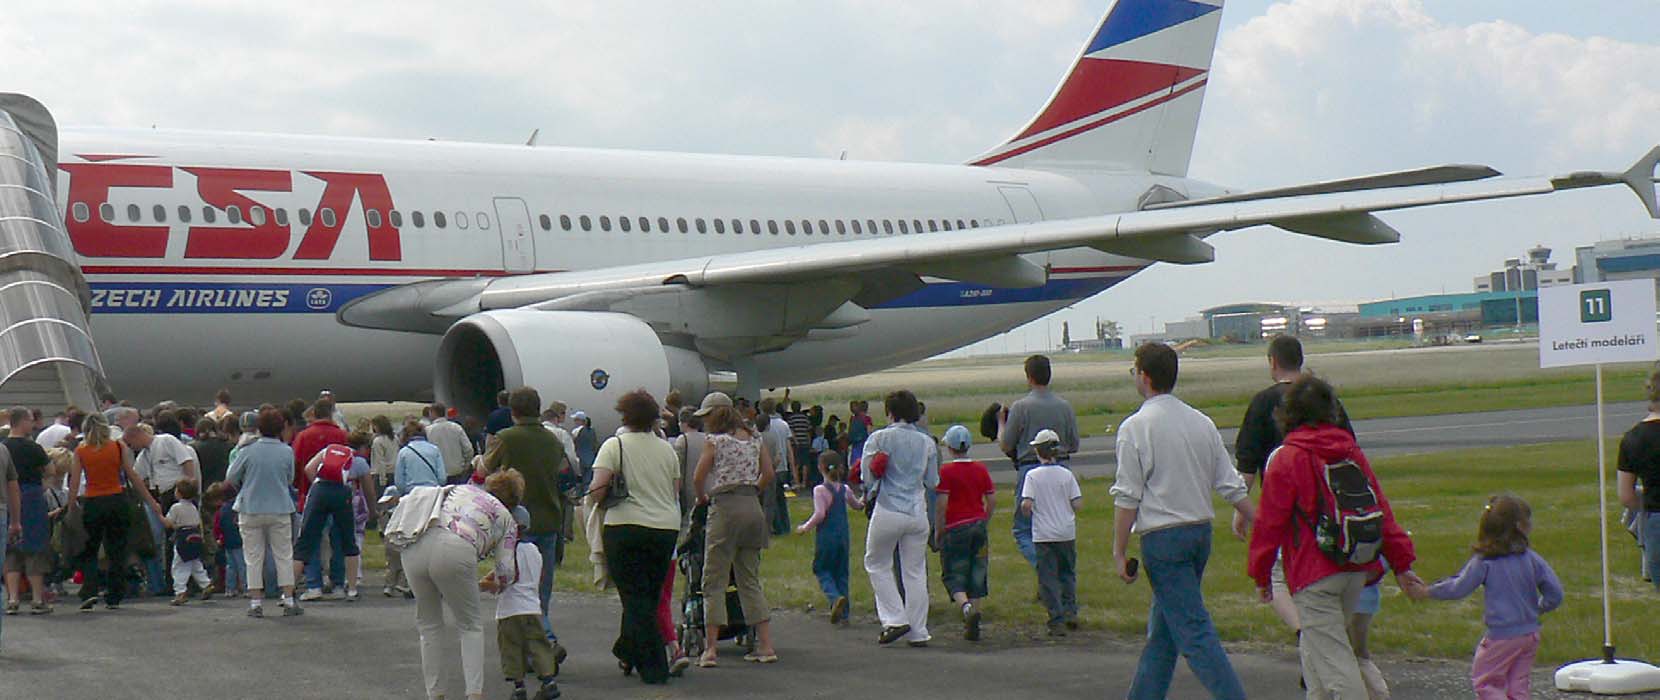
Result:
{"points": [[1171, 459]]}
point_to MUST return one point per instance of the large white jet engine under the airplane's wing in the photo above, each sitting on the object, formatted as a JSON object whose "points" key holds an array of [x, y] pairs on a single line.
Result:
{"points": [[583, 359]]}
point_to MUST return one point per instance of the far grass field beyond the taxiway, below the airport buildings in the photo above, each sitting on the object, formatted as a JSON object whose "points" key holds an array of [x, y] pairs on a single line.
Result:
{"points": [[1375, 382]]}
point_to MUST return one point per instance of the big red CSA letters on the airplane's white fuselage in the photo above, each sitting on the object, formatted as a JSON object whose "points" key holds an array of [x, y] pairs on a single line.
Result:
{"points": [[223, 188]]}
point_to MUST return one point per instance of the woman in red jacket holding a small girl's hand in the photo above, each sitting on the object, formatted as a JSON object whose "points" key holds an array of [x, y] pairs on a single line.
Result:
{"points": [[1292, 497]]}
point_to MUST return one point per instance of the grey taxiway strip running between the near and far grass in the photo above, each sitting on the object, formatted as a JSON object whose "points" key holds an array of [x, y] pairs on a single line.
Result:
{"points": [[1384, 437]]}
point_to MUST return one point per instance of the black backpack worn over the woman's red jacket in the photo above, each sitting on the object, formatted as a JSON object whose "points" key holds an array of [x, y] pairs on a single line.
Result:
{"points": [[1349, 515]]}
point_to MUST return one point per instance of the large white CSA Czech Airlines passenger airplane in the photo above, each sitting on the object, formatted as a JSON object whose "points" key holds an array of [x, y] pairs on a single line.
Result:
{"points": [[411, 270]]}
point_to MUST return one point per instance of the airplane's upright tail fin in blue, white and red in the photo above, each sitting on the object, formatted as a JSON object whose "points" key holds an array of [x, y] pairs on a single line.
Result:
{"points": [[1133, 97]]}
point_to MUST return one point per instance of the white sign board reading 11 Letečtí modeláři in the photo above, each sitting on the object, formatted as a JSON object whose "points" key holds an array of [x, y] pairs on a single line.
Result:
{"points": [[1598, 324]]}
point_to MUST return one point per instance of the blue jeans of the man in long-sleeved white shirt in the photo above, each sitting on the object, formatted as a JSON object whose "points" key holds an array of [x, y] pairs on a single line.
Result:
{"points": [[1179, 625]]}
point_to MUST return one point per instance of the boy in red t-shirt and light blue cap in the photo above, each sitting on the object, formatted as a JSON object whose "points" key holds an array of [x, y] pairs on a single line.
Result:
{"points": [[962, 528]]}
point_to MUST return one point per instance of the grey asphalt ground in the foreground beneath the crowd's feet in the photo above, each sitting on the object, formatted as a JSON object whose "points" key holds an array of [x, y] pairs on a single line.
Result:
{"points": [[371, 651]]}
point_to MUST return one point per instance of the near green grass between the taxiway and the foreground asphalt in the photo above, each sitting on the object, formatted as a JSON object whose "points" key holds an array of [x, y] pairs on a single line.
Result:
{"points": [[1437, 497]]}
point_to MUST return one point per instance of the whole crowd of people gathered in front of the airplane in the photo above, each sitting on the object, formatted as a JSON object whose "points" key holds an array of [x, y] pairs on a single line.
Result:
{"points": [[275, 503]]}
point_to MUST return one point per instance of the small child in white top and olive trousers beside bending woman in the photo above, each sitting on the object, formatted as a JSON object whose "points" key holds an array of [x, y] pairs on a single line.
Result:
{"points": [[519, 620]]}
